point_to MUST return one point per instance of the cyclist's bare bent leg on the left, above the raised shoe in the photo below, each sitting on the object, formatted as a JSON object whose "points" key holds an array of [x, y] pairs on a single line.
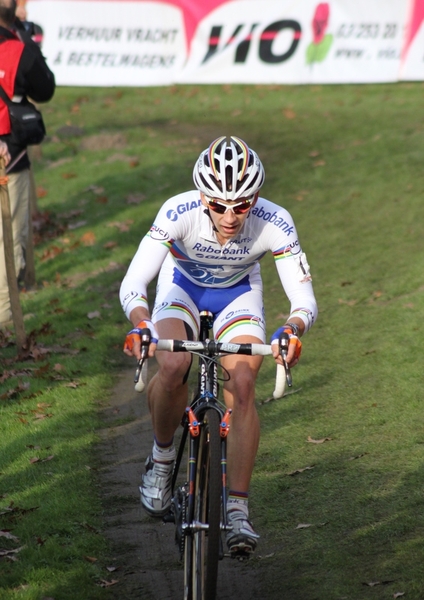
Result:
{"points": [[167, 392]]}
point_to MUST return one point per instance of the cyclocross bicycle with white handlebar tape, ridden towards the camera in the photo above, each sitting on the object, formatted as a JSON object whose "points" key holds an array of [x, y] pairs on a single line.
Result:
{"points": [[198, 506]]}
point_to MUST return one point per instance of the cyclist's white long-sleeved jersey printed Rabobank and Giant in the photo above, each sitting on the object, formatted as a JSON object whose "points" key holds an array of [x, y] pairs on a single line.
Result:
{"points": [[183, 243]]}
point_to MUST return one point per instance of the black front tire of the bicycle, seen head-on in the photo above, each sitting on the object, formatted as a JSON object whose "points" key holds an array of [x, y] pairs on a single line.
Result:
{"points": [[203, 547]]}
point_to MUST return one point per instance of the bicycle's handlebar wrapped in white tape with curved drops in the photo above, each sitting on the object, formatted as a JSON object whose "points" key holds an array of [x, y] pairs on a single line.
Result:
{"points": [[212, 348]]}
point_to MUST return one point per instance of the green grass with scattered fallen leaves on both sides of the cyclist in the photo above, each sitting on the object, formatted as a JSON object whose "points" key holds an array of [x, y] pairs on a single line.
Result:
{"points": [[346, 162]]}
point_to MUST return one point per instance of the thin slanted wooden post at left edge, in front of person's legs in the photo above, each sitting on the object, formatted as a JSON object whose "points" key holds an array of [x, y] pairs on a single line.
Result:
{"points": [[18, 320]]}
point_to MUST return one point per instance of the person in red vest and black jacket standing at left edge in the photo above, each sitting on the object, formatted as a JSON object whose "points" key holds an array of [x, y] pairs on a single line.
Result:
{"points": [[23, 73]]}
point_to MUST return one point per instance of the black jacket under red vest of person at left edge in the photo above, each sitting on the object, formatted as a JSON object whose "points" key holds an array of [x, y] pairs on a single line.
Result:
{"points": [[33, 80]]}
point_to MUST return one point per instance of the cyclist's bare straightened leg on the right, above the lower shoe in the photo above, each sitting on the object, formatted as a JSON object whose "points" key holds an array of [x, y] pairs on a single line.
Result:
{"points": [[239, 394]]}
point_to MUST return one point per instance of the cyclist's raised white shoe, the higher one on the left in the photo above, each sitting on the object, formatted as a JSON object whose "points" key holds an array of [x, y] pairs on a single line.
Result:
{"points": [[156, 487]]}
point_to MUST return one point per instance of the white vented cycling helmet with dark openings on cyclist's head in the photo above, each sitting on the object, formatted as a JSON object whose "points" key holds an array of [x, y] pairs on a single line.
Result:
{"points": [[228, 170]]}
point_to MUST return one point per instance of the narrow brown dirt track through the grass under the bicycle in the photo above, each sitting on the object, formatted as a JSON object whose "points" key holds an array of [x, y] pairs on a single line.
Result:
{"points": [[144, 548]]}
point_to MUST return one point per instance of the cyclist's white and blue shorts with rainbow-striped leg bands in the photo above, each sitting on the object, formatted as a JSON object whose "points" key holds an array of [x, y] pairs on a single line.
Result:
{"points": [[238, 310]]}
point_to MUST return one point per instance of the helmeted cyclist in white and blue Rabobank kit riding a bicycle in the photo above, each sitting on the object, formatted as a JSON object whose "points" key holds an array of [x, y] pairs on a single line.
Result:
{"points": [[206, 245]]}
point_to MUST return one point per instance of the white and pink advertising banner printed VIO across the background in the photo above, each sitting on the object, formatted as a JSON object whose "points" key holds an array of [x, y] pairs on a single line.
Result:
{"points": [[148, 42]]}
